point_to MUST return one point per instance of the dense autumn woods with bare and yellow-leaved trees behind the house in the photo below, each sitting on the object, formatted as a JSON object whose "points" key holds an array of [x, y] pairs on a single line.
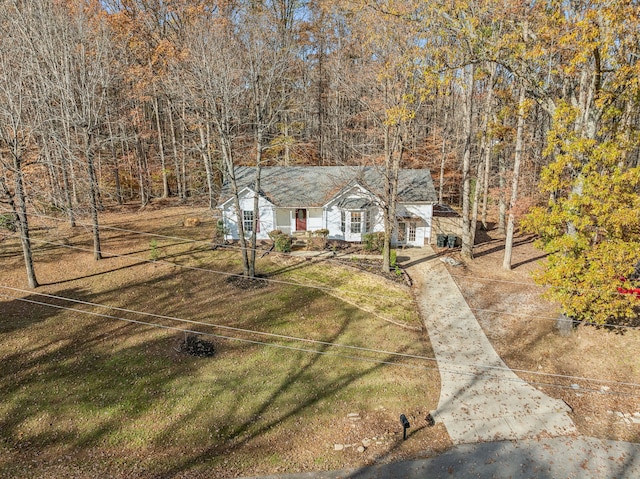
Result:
{"points": [[510, 104]]}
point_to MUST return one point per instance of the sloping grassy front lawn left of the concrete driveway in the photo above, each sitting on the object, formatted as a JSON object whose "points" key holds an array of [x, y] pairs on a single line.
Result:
{"points": [[86, 395]]}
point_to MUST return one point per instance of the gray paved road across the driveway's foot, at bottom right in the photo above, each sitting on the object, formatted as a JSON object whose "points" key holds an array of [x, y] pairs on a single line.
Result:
{"points": [[551, 458]]}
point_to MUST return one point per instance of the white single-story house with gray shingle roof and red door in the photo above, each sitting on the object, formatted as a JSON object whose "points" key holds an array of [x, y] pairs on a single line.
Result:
{"points": [[344, 200]]}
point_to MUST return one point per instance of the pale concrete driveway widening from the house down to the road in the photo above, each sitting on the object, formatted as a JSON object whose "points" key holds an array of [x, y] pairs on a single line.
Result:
{"points": [[481, 399]]}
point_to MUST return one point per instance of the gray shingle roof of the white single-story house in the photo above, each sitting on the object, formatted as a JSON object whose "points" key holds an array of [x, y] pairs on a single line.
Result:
{"points": [[299, 186]]}
